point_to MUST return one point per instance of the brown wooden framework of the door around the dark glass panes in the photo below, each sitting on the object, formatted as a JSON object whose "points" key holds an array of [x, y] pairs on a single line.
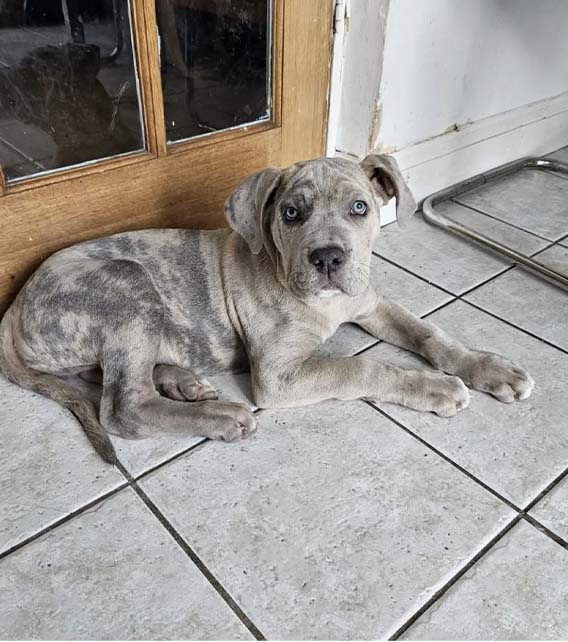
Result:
{"points": [[148, 189]]}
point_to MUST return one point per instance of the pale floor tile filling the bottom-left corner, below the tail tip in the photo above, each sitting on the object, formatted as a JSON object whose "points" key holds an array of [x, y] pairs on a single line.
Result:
{"points": [[111, 573]]}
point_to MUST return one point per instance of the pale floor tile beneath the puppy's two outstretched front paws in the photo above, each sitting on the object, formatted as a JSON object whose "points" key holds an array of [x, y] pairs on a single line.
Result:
{"points": [[517, 449]]}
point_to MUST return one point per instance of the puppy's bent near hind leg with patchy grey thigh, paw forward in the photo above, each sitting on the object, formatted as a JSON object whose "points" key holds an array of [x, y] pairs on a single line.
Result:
{"points": [[131, 406]]}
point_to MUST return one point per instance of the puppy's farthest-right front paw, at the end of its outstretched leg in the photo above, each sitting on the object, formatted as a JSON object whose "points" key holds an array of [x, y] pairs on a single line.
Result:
{"points": [[499, 377]]}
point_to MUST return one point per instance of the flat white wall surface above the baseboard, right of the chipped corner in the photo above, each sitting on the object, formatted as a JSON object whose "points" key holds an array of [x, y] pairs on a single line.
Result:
{"points": [[449, 62]]}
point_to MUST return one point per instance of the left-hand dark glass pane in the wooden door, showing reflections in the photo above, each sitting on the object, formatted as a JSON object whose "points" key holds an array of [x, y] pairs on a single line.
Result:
{"points": [[68, 89]]}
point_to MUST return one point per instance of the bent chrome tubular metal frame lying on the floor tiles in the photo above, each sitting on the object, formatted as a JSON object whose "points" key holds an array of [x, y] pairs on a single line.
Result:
{"points": [[432, 216]]}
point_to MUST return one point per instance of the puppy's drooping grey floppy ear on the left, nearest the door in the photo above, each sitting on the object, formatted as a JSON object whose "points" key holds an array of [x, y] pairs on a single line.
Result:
{"points": [[245, 207]]}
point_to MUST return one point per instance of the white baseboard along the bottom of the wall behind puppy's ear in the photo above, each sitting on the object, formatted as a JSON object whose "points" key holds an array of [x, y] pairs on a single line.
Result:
{"points": [[531, 130]]}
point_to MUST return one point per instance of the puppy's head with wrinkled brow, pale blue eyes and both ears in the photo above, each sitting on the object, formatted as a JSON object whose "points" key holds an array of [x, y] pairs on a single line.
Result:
{"points": [[318, 220]]}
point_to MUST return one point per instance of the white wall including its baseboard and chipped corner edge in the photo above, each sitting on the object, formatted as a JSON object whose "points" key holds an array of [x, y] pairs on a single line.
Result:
{"points": [[453, 87]]}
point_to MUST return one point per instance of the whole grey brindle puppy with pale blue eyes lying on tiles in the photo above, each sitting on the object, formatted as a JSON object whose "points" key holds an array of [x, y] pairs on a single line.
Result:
{"points": [[153, 311]]}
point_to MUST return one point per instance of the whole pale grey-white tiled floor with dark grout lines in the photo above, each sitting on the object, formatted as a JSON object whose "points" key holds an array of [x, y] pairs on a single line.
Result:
{"points": [[339, 520]]}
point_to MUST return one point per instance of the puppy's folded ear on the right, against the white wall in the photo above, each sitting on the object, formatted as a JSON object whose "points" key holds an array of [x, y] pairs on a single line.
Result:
{"points": [[387, 181]]}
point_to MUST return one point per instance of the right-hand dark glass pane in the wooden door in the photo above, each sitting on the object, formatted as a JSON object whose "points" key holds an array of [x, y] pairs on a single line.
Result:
{"points": [[215, 64]]}
